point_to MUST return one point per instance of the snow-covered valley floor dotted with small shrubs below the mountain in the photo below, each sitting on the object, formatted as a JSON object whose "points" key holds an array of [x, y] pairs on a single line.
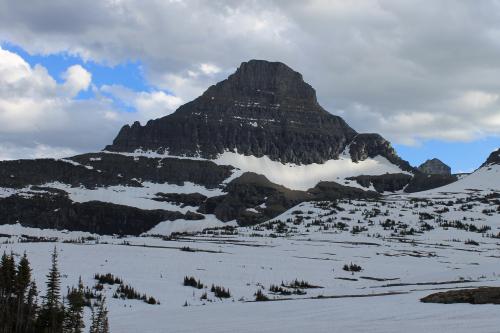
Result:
{"points": [[406, 249]]}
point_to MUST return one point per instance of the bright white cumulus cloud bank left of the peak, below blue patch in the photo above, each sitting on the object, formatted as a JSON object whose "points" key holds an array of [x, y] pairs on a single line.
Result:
{"points": [[40, 117]]}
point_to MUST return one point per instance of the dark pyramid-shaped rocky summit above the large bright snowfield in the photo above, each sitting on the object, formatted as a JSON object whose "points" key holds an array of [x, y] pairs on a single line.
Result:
{"points": [[264, 108]]}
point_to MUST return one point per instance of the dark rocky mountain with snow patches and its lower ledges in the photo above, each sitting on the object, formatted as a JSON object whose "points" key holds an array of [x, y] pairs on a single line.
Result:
{"points": [[249, 148]]}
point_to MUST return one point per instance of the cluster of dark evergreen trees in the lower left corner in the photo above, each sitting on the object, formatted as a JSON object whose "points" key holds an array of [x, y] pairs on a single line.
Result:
{"points": [[21, 311]]}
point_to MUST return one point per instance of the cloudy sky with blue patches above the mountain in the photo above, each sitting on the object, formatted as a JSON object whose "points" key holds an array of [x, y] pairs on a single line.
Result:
{"points": [[423, 75]]}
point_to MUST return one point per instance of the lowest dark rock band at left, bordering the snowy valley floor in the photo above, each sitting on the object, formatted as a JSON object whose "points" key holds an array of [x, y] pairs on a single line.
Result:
{"points": [[58, 212]]}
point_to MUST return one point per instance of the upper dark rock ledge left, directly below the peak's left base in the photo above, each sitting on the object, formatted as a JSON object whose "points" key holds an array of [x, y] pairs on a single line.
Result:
{"points": [[101, 169]]}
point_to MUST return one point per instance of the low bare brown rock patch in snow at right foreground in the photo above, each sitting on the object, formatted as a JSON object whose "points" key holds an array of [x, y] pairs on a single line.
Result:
{"points": [[486, 295]]}
